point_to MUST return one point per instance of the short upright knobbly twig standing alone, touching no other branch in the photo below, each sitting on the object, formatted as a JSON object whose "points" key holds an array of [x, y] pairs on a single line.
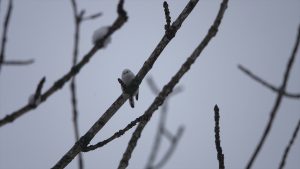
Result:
{"points": [[217, 138]]}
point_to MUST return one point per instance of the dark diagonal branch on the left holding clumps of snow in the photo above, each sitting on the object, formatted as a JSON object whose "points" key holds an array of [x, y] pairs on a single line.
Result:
{"points": [[74, 71]]}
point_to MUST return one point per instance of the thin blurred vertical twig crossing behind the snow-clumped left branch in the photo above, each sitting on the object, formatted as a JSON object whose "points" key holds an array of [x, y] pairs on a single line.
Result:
{"points": [[77, 21]]}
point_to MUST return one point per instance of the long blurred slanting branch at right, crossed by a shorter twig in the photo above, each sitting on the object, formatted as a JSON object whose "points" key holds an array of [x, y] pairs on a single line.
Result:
{"points": [[277, 102]]}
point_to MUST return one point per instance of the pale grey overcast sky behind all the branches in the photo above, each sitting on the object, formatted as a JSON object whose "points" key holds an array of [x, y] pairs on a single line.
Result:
{"points": [[257, 34]]}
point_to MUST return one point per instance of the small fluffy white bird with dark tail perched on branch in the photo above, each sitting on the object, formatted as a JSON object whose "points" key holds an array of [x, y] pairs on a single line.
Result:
{"points": [[127, 77]]}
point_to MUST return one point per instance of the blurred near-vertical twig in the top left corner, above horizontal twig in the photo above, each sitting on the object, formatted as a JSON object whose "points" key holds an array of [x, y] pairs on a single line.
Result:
{"points": [[4, 34]]}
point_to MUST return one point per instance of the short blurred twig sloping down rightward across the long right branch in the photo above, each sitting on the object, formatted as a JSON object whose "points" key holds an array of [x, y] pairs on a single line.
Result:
{"points": [[266, 84]]}
